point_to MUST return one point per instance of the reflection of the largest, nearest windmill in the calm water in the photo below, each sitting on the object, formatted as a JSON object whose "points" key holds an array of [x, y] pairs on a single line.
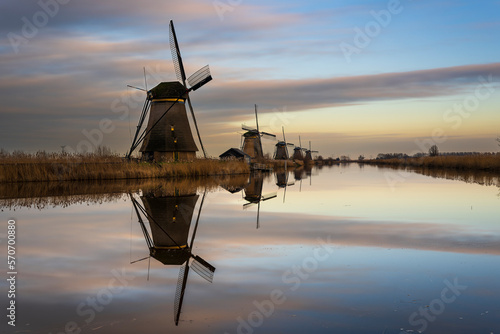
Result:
{"points": [[169, 215]]}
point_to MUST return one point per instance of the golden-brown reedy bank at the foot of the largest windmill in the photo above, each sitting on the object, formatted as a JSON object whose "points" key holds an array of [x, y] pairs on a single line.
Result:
{"points": [[21, 167]]}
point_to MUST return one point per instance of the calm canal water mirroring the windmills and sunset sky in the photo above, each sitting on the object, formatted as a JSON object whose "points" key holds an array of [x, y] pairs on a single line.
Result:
{"points": [[344, 249]]}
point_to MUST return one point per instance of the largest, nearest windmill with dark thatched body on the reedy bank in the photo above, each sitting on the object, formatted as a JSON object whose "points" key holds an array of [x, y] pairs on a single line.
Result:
{"points": [[168, 135]]}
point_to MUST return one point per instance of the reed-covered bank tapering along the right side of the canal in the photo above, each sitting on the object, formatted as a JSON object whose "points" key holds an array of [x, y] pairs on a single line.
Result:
{"points": [[486, 162]]}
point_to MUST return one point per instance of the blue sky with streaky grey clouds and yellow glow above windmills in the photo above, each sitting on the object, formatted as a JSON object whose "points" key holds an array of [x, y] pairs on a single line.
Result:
{"points": [[352, 77]]}
